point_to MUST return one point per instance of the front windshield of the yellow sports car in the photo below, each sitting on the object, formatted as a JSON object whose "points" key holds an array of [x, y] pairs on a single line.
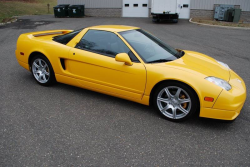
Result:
{"points": [[150, 48]]}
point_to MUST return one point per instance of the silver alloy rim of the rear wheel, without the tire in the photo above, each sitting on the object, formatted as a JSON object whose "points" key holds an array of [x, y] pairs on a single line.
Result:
{"points": [[40, 70]]}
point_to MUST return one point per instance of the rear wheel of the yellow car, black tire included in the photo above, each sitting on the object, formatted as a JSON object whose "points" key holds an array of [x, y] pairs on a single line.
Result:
{"points": [[48, 79]]}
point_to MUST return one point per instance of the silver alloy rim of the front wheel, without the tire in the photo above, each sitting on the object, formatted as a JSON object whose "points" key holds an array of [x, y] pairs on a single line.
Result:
{"points": [[174, 102]]}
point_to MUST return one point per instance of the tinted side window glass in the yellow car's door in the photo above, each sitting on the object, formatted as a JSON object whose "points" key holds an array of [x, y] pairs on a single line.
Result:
{"points": [[104, 42]]}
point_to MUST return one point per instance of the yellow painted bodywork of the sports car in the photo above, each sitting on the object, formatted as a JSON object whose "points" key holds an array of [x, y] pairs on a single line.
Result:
{"points": [[134, 81]]}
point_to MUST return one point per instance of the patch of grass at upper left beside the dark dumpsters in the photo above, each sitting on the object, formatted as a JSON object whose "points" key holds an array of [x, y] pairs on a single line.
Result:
{"points": [[9, 9]]}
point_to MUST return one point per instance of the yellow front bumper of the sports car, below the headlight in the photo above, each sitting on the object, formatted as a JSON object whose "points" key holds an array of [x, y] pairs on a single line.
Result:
{"points": [[229, 103]]}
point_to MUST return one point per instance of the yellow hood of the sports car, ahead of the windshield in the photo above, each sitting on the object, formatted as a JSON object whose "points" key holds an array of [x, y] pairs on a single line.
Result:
{"points": [[201, 63]]}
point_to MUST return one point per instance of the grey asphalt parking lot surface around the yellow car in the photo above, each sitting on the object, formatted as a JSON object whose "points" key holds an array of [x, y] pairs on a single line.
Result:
{"points": [[68, 126]]}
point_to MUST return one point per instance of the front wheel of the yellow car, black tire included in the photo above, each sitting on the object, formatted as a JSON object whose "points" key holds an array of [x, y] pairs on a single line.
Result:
{"points": [[175, 104]]}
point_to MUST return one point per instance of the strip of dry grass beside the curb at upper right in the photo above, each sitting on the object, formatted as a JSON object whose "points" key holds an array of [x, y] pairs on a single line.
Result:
{"points": [[221, 23]]}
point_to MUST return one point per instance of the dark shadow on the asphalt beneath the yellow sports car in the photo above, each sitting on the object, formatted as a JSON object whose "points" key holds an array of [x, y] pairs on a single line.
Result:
{"points": [[195, 121]]}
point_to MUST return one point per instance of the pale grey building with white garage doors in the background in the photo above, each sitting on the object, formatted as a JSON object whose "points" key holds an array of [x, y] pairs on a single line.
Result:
{"points": [[142, 8]]}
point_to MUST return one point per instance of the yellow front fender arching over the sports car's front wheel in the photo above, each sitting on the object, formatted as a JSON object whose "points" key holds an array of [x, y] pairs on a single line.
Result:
{"points": [[195, 80]]}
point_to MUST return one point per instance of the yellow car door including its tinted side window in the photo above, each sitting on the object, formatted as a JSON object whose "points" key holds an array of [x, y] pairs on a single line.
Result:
{"points": [[93, 63]]}
